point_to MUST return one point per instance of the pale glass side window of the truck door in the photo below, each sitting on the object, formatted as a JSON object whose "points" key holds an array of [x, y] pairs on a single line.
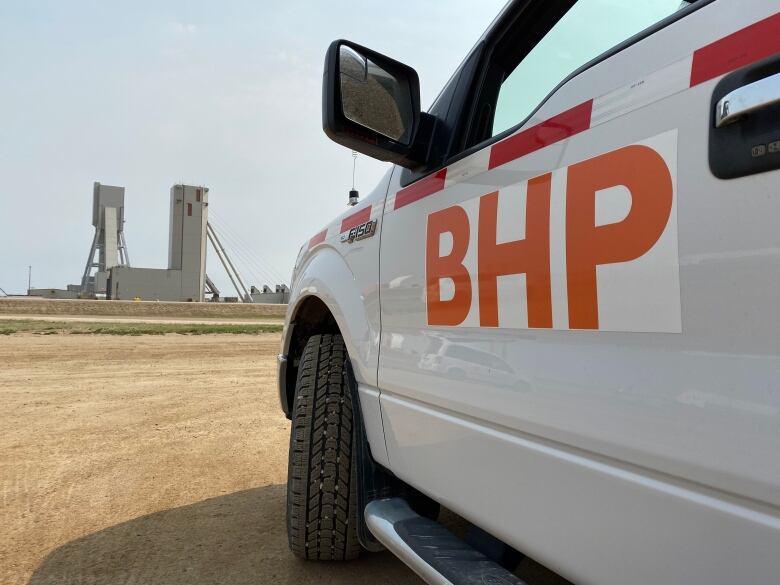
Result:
{"points": [[587, 30]]}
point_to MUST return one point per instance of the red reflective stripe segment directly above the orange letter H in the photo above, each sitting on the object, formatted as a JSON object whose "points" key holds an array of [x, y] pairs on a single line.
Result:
{"points": [[550, 131]]}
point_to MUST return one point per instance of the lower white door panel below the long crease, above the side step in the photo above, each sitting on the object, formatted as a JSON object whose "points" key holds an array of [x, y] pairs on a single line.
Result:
{"points": [[592, 520]]}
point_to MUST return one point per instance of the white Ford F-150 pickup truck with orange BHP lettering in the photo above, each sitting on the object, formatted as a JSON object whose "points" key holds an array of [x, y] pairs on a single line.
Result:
{"points": [[558, 314]]}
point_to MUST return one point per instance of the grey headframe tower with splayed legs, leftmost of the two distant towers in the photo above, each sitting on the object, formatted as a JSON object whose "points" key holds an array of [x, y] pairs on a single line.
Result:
{"points": [[108, 217]]}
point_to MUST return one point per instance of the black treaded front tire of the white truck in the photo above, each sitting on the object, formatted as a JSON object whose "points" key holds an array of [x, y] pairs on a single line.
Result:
{"points": [[322, 472]]}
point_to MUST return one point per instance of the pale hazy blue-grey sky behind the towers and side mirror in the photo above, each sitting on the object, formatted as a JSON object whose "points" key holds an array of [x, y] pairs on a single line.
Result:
{"points": [[223, 94]]}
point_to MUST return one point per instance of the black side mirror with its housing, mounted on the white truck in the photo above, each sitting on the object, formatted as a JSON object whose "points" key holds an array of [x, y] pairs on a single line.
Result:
{"points": [[371, 104]]}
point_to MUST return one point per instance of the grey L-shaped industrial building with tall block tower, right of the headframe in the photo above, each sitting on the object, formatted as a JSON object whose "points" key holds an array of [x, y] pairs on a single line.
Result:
{"points": [[185, 277]]}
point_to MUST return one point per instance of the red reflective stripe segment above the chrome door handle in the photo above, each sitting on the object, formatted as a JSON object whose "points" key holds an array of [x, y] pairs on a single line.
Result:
{"points": [[744, 47]]}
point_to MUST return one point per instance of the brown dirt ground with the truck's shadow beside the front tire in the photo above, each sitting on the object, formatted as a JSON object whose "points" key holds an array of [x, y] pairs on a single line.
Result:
{"points": [[149, 460]]}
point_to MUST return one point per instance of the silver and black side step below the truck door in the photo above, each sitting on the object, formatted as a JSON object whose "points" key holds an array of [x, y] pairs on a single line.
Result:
{"points": [[430, 550]]}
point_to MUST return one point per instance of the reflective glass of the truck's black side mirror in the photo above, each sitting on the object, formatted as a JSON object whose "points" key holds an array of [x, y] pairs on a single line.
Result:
{"points": [[374, 98]]}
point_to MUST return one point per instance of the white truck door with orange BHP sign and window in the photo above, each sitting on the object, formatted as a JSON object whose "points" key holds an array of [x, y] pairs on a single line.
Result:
{"points": [[600, 229]]}
